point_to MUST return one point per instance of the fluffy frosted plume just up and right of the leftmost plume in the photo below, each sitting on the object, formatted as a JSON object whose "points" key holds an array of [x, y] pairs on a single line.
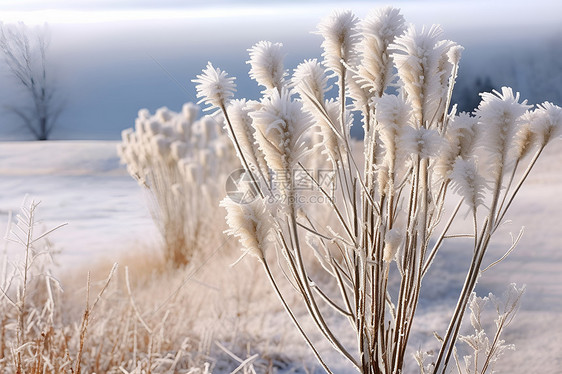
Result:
{"points": [[266, 61]]}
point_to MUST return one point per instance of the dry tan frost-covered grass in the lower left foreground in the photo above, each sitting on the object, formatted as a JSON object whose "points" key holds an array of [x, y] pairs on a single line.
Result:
{"points": [[139, 317]]}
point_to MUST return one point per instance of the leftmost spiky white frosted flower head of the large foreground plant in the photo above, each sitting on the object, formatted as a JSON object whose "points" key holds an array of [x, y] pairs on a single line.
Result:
{"points": [[214, 87]]}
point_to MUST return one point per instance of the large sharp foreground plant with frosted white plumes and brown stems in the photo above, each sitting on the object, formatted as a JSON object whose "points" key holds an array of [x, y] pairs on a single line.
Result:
{"points": [[387, 222]]}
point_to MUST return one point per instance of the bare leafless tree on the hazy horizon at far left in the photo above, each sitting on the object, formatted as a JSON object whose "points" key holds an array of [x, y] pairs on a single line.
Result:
{"points": [[25, 52]]}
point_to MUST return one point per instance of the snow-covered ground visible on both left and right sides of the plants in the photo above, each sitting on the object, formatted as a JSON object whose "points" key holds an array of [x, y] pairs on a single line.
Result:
{"points": [[83, 184]]}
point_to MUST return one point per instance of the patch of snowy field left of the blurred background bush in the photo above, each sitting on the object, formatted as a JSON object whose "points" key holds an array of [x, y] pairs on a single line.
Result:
{"points": [[83, 184]]}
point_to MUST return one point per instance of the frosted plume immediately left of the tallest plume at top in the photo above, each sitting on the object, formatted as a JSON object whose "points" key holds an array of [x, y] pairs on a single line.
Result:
{"points": [[340, 36]]}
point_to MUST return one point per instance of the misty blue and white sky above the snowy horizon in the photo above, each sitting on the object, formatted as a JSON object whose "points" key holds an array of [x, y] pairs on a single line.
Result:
{"points": [[112, 58]]}
